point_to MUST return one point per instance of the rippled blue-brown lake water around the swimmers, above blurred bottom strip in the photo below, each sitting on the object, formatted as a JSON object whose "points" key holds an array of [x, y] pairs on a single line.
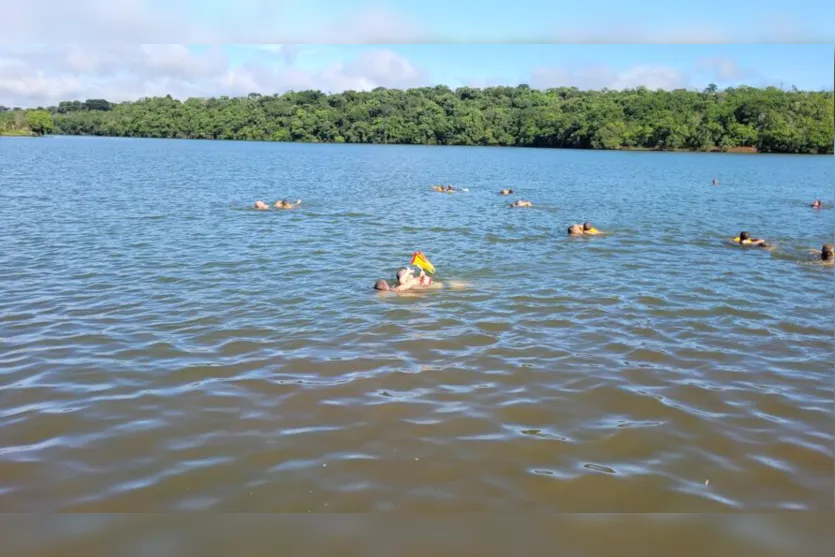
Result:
{"points": [[165, 348]]}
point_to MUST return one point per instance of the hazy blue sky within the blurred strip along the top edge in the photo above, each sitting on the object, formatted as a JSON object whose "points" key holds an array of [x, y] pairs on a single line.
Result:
{"points": [[537, 20]]}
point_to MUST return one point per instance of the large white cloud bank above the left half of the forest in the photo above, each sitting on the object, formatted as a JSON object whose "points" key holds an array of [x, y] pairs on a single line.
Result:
{"points": [[44, 75]]}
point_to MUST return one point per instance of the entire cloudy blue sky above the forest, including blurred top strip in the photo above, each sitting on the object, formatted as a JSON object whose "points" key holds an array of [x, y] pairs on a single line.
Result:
{"points": [[126, 49]]}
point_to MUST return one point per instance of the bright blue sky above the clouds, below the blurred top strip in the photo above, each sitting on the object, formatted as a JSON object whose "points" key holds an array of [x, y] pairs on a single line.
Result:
{"points": [[807, 66]]}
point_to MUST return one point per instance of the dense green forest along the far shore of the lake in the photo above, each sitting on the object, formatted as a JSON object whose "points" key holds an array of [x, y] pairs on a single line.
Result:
{"points": [[768, 120]]}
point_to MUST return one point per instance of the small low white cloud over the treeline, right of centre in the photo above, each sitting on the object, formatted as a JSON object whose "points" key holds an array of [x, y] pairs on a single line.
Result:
{"points": [[601, 76]]}
